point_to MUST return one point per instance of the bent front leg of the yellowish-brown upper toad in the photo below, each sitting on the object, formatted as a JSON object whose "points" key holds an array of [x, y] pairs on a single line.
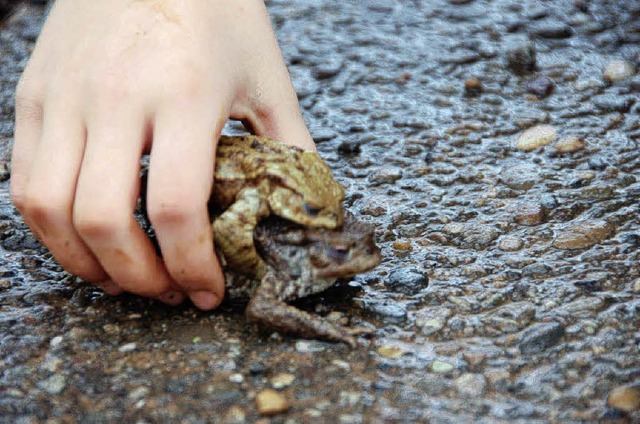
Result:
{"points": [[233, 232]]}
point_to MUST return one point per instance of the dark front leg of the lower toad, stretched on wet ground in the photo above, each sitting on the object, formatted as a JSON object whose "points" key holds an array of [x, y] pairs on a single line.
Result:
{"points": [[268, 310]]}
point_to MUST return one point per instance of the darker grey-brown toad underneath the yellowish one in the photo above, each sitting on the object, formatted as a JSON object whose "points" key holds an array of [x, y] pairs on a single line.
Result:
{"points": [[300, 261]]}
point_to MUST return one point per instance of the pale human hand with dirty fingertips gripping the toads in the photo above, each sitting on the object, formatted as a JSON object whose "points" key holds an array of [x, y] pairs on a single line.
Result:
{"points": [[110, 80]]}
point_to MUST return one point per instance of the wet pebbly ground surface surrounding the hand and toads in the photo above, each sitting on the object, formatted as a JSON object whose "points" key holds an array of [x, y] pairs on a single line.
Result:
{"points": [[494, 144]]}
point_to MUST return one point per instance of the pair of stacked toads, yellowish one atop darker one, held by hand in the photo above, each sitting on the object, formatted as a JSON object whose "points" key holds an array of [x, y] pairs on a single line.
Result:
{"points": [[281, 233]]}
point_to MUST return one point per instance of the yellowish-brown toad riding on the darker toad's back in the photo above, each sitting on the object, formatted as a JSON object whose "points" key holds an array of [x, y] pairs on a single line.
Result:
{"points": [[256, 177]]}
